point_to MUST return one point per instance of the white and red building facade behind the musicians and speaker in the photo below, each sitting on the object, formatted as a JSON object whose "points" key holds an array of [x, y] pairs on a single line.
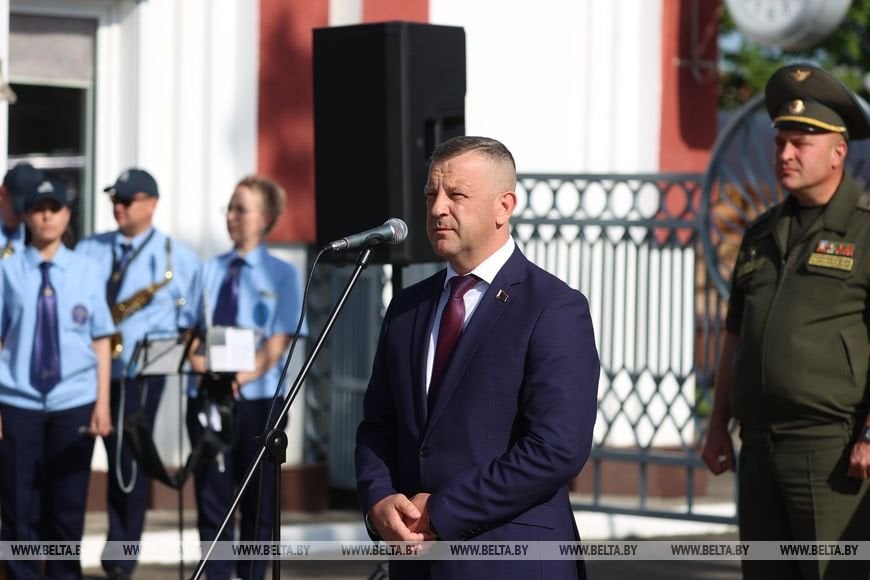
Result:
{"points": [[203, 92]]}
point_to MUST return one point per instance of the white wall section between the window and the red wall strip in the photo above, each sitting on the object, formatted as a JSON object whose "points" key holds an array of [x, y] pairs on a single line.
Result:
{"points": [[198, 66]]}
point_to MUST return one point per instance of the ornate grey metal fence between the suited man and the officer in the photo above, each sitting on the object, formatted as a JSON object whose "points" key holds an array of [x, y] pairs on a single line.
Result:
{"points": [[633, 244]]}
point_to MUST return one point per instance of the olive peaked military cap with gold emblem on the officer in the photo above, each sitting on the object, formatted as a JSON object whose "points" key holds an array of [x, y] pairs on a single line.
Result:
{"points": [[806, 98]]}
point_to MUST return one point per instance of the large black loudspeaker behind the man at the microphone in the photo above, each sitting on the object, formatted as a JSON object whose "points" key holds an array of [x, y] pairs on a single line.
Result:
{"points": [[385, 95]]}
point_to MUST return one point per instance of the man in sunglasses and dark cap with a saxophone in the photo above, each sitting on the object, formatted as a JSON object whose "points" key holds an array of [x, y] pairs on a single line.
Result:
{"points": [[147, 277]]}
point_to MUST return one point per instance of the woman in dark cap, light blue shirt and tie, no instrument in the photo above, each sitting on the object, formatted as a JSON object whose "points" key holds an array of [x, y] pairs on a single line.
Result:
{"points": [[53, 402]]}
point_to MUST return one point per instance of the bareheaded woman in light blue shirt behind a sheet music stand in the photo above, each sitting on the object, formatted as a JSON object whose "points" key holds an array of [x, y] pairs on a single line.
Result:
{"points": [[249, 288]]}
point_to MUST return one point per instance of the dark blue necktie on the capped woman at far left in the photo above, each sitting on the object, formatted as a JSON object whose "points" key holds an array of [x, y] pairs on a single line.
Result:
{"points": [[45, 360]]}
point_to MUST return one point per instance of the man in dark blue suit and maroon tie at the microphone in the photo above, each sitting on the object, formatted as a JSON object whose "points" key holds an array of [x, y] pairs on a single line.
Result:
{"points": [[480, 444]]}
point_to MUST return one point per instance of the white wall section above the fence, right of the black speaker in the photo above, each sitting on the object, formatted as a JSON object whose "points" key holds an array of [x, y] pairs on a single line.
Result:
{"points": [[568, 85]]}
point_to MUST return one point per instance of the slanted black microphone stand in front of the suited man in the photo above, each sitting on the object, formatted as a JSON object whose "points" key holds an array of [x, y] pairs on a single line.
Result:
{"points": [[275, 442]]}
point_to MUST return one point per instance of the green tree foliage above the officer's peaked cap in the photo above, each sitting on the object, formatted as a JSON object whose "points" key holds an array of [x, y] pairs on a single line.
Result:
{"points": [[744, 66]]}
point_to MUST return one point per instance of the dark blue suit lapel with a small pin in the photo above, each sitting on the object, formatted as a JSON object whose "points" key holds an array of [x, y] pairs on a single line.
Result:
{"points": [[492, 305]]}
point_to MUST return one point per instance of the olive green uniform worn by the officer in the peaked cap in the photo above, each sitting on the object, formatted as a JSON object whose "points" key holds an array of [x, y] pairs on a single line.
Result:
{"points": [[800, 379]]}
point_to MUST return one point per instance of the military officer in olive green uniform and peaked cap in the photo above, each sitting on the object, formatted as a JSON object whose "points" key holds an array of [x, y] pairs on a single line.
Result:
{"points": [[794, 365]]}
